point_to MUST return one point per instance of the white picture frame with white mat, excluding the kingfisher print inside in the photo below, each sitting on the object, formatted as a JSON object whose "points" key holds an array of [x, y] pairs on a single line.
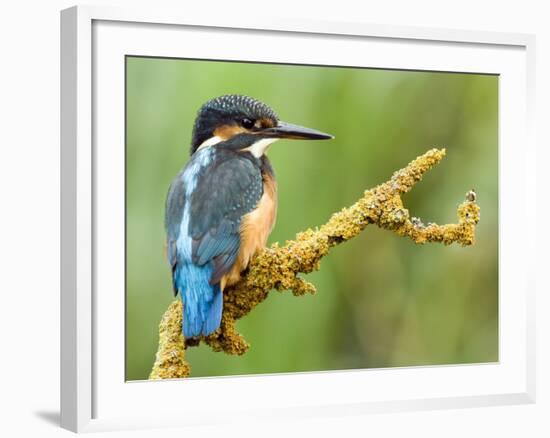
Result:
{"points": [[93, 396]]}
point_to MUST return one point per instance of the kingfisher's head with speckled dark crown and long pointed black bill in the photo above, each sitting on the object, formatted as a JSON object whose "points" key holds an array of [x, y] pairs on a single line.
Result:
{"points": [[243, 123]]}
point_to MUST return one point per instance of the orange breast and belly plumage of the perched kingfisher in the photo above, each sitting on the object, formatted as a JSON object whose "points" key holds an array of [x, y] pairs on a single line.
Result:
{"points": [[255, 229]]}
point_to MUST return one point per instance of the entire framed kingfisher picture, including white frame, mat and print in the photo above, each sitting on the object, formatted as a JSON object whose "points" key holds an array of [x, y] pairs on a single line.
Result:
{"points": [[291, 218]]}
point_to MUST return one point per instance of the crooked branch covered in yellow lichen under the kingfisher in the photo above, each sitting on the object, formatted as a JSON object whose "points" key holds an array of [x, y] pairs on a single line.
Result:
{"points": [[278, 267]]}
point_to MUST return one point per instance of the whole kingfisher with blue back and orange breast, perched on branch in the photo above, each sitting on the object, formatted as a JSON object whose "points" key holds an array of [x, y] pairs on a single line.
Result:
{"points": [[222, 206]]}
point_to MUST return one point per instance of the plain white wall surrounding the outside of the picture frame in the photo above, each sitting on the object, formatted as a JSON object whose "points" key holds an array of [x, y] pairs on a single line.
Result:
{"points": [[29, 231]]}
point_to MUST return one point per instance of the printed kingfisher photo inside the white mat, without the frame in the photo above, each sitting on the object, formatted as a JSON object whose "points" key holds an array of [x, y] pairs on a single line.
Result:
{"points": [[374, 191]]}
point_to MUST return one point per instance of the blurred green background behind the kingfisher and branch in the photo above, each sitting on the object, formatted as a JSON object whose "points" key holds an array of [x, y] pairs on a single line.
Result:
{"points": [[382, 301]]}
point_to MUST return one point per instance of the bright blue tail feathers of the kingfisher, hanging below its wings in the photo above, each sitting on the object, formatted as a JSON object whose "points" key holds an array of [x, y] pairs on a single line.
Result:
{"points": [[202, 302]]}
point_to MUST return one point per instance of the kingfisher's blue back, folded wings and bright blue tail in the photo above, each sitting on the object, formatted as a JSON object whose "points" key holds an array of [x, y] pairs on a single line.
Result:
{"points": [[204, 208]]}
